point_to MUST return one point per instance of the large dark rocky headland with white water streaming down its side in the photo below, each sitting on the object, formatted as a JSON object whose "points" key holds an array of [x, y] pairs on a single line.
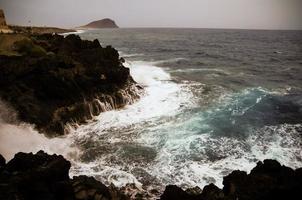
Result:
{"points": [[57, 80]]}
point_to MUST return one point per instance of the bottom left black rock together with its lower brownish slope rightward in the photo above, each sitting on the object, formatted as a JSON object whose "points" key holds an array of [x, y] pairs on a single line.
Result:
{"points": [[45, 177]]}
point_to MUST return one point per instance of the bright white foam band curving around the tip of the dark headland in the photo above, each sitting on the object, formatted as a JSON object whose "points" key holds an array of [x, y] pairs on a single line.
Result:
{"points": [[162, 98]]}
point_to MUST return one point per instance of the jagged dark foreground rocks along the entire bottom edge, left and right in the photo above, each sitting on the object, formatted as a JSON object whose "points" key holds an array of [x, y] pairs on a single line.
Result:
{"points": [[43, 176]]}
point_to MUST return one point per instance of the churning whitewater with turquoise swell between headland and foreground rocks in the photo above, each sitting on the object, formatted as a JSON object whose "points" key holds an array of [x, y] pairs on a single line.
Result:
{"points": [[165, 138]]}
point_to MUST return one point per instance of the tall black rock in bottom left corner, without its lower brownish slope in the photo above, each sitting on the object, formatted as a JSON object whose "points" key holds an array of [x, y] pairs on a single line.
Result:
{"points": [[39, 176]]}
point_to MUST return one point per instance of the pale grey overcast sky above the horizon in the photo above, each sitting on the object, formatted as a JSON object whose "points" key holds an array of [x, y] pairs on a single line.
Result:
{"points": [[247, 14]]}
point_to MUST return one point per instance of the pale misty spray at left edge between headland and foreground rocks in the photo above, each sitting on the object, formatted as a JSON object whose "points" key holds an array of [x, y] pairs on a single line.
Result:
{"points": [[16, 137]]}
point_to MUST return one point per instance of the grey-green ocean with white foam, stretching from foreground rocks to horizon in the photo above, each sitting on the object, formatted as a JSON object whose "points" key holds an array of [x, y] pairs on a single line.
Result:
{"points": [[214, 101]]}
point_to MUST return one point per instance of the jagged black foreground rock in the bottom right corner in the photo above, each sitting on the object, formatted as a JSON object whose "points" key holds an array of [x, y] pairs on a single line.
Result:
{"points": [[268, 180]]}
